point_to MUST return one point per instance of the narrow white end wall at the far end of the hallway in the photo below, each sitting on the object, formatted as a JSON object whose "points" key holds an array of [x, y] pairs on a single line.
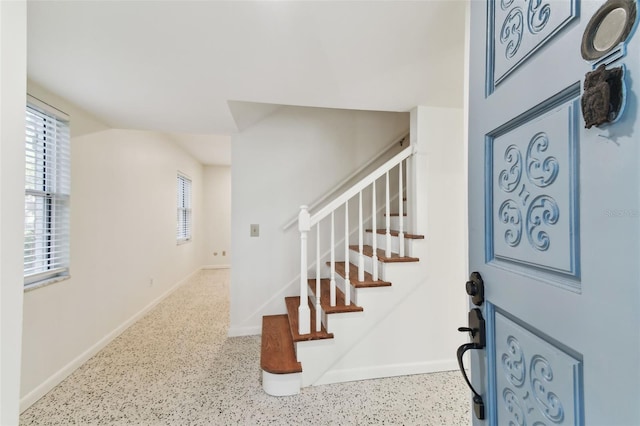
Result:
{"points": [[217, 213]]}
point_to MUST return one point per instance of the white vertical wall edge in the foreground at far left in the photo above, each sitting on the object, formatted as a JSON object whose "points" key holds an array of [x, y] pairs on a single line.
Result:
{"points": [[13, 69]]}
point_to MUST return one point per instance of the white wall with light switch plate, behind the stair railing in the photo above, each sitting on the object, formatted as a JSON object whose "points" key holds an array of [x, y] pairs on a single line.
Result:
{"points": [[290, 158]]}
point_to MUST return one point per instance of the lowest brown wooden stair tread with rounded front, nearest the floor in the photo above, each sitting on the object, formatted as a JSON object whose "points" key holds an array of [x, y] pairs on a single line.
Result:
{"points": [[278, 354]]}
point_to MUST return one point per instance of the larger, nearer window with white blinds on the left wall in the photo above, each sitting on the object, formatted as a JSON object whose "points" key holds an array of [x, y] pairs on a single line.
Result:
{"points": [[47, 189]]}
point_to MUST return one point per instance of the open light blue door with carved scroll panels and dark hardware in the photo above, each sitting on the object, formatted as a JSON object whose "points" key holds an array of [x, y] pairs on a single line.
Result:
{"points": [[554, 210]]}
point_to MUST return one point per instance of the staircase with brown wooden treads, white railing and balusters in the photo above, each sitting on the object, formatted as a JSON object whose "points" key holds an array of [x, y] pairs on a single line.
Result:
{"points": [[332, 331]]}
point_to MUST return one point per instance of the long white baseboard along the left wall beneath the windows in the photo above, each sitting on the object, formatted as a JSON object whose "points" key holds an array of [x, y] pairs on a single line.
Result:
{"points": [[30, 398]]}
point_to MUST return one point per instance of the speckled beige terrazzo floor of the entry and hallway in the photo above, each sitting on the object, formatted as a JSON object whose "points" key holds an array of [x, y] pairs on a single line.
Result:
{"points": [[177, 367]]}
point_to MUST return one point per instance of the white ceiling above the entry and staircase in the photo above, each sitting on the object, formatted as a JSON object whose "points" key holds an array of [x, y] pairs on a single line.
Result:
{"points": [[183, 66]]}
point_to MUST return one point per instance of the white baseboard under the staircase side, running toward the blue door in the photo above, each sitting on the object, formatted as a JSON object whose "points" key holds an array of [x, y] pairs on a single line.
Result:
{"points": [[379, 371]]}
